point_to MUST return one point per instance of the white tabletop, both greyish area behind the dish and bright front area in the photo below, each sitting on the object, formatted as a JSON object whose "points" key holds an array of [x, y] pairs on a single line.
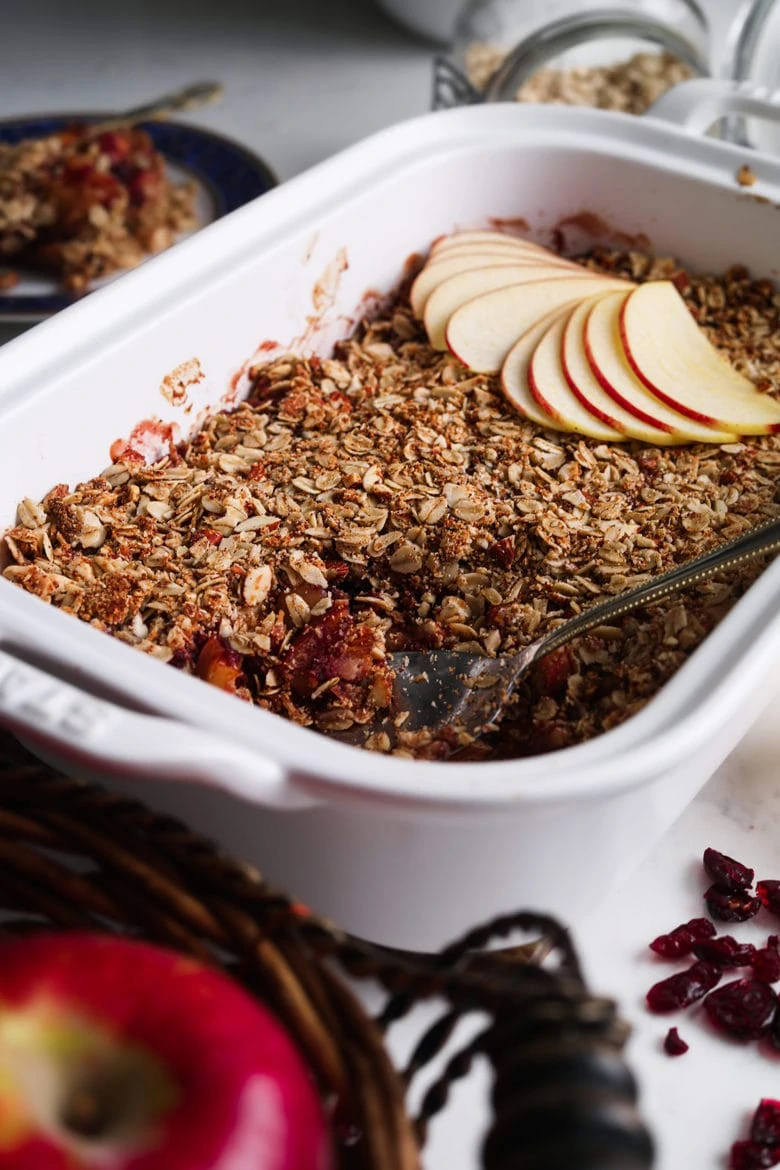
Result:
{"points": [[305, 80]]}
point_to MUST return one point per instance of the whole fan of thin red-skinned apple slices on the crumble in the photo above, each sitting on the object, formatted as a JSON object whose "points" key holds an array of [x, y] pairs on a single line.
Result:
{"points": [[581, 352]]}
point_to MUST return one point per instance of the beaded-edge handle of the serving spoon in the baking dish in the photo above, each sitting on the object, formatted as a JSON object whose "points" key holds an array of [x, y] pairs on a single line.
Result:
{"points": [[758, 542]]}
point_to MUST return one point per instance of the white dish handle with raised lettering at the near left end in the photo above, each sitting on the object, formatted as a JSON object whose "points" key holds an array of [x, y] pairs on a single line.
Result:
{"points": [[106, 739]]}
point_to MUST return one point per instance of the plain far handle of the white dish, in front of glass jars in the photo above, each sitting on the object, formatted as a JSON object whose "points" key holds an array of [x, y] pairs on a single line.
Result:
{"points": [[696, 106]]}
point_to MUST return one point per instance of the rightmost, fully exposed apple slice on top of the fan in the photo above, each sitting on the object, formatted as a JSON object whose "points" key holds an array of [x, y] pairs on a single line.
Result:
{"points": [[677, 362]]}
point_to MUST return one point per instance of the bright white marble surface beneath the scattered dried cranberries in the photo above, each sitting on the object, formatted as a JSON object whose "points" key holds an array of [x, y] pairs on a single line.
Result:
{"points": [[696, 1105]]}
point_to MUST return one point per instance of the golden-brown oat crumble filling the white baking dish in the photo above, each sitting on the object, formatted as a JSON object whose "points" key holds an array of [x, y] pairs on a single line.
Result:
{"points": [[386, 499]]}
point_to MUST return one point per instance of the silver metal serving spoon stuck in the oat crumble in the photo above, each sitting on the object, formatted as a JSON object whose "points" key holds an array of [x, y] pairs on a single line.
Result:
{"points": [[437, 690]]}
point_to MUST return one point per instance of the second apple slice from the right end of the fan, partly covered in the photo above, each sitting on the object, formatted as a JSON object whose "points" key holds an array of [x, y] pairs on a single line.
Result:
{"points": [[608, 361]]}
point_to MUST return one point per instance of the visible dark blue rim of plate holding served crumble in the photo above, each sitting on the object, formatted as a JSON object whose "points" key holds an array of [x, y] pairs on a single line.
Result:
{"points": [[227, 175]]}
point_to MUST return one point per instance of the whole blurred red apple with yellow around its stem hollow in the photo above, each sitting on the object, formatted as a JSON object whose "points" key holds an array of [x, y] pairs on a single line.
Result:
{"points": [[120, 1056]]}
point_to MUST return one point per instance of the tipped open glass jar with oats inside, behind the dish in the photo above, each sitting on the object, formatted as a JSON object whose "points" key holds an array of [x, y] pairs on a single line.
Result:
{"points": [[613, 54]]}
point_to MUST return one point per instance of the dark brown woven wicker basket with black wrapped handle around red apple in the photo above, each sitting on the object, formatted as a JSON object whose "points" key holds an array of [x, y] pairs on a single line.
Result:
{"points": [[77, 857]]}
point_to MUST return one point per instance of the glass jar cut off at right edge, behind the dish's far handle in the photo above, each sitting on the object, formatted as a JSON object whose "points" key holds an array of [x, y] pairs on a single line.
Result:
{"points": [[756, 59]]}
